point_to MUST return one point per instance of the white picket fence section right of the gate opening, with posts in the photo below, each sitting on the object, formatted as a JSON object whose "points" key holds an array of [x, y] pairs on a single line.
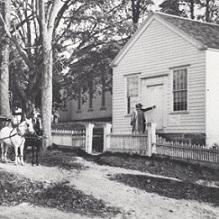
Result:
{"points": [[149, 144]]}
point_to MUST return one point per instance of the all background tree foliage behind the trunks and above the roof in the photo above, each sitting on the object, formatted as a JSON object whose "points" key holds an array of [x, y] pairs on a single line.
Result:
{"points": [[87, 36]]}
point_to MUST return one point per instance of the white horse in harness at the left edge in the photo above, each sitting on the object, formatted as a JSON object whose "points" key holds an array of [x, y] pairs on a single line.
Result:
{"points": [[15, 137]]}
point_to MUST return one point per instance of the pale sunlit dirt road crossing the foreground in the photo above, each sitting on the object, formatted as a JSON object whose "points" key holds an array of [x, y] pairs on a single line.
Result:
{"points": [[134, 203]]}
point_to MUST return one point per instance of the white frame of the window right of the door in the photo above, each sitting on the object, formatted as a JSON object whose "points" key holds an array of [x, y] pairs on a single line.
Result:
{"points": [[179, 90]]}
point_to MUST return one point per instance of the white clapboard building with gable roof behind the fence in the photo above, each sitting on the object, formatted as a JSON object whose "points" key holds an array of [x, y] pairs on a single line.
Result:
{"points": [[173, 63]]}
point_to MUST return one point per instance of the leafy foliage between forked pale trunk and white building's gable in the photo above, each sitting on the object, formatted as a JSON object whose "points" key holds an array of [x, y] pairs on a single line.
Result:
{"points": [[94, 32]]}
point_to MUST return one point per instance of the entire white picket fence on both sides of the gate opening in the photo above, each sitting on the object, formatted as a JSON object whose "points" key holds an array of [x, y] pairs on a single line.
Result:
{"points": [[143, 144]]}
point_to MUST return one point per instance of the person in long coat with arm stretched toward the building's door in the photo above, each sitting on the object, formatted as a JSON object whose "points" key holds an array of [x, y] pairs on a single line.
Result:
{"points": [[138, 118]]}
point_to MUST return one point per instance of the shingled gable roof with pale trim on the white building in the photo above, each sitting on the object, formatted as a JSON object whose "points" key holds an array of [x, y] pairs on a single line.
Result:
{"points": [[203, 35]]}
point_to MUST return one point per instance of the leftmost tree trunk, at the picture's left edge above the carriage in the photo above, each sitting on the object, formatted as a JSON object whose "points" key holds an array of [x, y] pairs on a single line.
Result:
{"points": [[4, 82]]}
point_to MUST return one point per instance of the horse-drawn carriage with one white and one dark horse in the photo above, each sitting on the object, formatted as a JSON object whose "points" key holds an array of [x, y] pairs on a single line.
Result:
{"points": [[26, 134]]}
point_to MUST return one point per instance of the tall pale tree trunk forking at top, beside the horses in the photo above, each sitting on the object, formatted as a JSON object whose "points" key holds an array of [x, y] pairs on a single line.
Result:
{"points": [[47, 28]]}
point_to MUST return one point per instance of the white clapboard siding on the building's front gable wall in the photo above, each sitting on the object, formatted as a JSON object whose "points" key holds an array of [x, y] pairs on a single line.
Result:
{"points": [[156, 51]]}
